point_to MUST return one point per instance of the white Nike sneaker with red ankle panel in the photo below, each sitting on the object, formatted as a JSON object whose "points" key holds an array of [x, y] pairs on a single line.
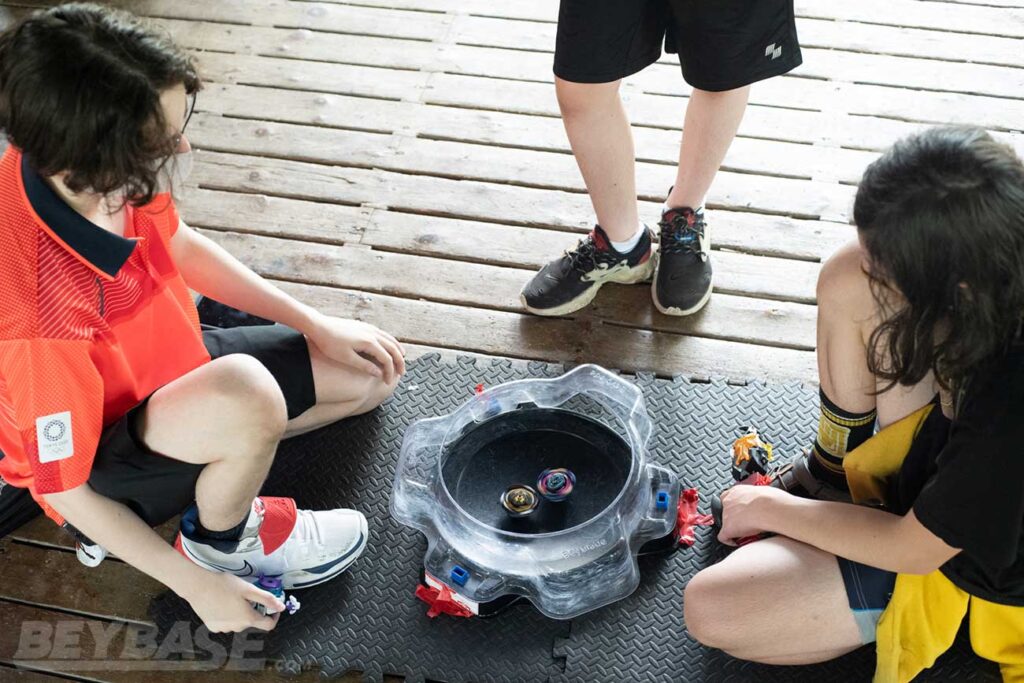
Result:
{"points": [[303, 547]]}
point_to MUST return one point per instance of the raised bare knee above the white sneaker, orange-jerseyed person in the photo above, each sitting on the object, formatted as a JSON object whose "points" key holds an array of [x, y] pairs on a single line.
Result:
{"points": [[250, 396]]}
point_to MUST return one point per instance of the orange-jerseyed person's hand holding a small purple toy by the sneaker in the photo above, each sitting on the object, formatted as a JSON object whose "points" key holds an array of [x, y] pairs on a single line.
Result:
{"points": [[225, 603]]}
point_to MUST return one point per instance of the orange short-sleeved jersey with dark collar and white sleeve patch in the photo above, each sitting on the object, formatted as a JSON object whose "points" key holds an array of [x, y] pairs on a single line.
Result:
{"points": [[92, 323]]}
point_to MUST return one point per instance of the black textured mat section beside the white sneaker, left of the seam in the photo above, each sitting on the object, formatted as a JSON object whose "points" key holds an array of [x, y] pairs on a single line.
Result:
{"points": [[369, 620]]}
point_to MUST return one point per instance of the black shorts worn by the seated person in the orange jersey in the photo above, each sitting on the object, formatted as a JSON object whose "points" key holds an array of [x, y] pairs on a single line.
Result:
{"points": [[157, 488]]}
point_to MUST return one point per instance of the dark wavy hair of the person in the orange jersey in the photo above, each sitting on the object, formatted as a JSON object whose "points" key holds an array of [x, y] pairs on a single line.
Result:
{"points": [[80, 92]]}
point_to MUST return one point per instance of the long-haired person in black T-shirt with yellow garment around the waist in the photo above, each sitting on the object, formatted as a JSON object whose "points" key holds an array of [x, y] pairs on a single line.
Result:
{"points": [[920, 329]]}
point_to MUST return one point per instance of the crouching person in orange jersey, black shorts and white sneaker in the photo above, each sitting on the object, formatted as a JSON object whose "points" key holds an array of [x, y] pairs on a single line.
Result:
{"points": [[116, 411]]}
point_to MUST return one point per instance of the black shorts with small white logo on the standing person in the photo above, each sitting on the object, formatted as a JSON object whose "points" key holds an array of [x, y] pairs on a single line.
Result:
{"points": [[722, 45]]}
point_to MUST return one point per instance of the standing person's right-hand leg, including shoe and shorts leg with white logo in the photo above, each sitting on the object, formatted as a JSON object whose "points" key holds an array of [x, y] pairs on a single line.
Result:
{"points": [[723, 49]]}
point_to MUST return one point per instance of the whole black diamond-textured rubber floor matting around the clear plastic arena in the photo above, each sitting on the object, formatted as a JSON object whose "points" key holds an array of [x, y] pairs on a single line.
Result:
{"points": [[370, 621]]}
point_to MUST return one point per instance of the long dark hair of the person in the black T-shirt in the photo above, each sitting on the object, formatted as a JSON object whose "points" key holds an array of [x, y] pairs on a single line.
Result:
{"points": [[942, 217]]}
